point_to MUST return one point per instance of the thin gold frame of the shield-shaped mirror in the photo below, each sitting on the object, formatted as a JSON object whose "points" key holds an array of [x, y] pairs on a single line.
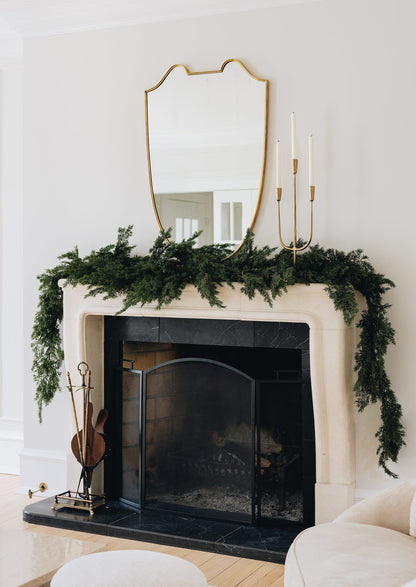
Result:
{"points": [[266, 115]]}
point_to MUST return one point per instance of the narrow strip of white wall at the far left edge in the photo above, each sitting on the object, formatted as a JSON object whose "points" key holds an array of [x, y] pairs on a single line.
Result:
{"points": [[11, 263]]}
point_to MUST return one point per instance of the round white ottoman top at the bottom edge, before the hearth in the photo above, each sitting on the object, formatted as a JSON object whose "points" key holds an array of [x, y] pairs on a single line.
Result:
{"points": [[128, 568]]}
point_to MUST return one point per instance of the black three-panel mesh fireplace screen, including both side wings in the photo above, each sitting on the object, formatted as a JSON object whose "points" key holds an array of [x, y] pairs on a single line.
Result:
{"points": [[202, 437]]}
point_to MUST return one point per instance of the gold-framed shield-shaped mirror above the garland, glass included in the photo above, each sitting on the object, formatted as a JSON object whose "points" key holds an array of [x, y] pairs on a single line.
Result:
{"points": [[206, 148]]}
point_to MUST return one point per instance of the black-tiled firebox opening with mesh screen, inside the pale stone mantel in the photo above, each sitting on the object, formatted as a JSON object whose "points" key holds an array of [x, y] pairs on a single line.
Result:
{"points": [[209, 428]]}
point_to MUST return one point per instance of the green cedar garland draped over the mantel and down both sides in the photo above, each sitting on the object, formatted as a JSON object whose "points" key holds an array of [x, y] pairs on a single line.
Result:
{"points": [[162, 275]]}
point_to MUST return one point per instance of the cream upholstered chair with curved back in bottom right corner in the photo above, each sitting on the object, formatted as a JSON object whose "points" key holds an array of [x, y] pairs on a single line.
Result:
{"points": [[370, 544]]}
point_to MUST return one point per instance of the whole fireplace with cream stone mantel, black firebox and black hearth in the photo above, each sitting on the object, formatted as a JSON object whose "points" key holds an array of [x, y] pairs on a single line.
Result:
{"points": [[320, 369]]}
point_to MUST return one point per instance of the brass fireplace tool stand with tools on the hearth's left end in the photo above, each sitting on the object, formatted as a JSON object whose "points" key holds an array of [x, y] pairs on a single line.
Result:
{"points": [[81, 500]]}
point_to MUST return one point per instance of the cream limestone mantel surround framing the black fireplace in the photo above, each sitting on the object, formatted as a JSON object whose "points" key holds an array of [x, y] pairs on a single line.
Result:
{"points": [[332, 345]]}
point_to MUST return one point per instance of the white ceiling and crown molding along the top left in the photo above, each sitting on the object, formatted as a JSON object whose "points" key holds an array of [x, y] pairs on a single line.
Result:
{"points": [[27, 18]]}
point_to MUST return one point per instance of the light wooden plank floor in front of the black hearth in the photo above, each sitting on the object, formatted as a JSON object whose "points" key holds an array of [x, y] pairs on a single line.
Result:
{"points": [[220, 570]]}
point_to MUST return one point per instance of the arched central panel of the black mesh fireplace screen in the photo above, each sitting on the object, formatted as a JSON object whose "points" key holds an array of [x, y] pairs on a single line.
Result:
{"points": [[199, 439]]}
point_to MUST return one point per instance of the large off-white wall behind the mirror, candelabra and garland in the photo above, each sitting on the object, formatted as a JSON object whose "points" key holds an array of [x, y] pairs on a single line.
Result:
{"points": [[347, 70]]}
